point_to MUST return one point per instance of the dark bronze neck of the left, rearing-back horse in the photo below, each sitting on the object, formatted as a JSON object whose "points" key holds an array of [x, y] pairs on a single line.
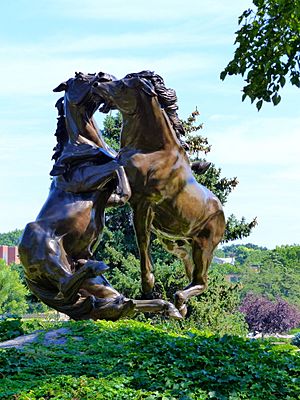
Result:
{"points": [[81, 127]]}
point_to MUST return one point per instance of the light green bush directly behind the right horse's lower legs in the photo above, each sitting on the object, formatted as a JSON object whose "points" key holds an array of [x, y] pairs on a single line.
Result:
{"points": [[215, 310]]}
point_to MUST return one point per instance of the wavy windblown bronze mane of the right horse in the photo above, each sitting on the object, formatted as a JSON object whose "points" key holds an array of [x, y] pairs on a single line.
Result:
{"points": [[166, 96]]}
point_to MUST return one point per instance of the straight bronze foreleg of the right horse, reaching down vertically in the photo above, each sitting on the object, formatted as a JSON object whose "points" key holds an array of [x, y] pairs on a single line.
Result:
{"points": [[142, 219]]}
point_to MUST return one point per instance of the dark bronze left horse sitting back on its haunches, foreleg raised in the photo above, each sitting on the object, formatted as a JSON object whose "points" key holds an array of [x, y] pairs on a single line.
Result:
{"points": [[56, 249]]}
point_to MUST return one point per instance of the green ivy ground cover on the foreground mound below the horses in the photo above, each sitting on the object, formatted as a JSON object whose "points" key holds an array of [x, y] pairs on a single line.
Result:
{"points": [[131, 360]]}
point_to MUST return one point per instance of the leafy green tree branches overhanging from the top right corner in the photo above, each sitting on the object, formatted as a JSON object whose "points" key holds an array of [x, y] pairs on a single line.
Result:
{"points": [[268, 49]]}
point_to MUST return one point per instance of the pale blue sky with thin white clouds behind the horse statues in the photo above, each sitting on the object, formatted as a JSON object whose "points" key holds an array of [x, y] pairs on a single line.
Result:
{"points": [[188, 43]]}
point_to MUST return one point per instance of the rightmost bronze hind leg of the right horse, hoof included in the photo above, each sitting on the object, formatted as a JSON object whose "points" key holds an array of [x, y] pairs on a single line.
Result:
{"points": [[202, 253]]}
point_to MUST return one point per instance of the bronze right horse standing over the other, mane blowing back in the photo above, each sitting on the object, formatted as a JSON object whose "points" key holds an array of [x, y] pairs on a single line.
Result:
{"points": [[166, 199]]}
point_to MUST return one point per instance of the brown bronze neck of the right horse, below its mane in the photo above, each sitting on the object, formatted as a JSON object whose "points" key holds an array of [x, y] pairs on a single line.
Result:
{"points": [[149, 129]]}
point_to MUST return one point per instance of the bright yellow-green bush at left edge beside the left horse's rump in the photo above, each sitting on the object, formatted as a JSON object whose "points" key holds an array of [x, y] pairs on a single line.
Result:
{"points": [[12, 291]]}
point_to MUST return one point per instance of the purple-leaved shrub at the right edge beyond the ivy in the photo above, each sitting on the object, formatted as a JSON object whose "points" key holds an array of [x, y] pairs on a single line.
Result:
{"points": [[265, 316]]}
